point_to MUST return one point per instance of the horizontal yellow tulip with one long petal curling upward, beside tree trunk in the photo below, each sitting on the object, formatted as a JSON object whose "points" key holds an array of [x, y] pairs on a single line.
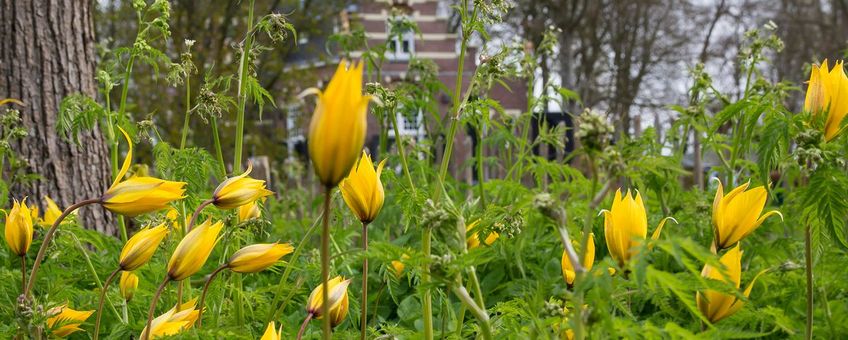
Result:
{"points": [[138, 194]]}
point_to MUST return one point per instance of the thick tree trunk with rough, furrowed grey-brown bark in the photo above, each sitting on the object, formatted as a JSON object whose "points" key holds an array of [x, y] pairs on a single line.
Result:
{"points": [[46, 53]]}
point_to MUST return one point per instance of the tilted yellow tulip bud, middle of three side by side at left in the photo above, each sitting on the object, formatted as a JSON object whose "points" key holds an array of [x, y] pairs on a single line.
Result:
{"points": [[193, 250]]}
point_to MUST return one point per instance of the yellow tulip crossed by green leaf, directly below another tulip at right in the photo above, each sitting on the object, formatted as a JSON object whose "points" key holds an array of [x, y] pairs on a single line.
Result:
{"points": [[716, 305]]}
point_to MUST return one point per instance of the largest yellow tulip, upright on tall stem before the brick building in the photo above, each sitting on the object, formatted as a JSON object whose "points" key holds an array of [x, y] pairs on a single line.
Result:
{"points": [[338, 125]]}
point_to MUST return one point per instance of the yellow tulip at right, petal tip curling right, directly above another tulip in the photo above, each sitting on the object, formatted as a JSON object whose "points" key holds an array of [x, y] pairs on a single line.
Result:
{"points": [[737, 214]]}
